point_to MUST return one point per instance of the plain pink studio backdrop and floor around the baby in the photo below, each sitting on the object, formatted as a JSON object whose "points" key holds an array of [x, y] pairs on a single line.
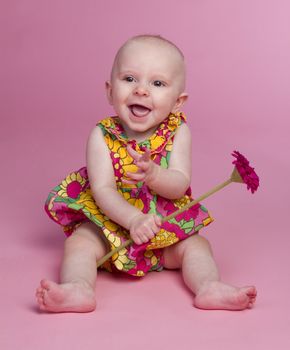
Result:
{"points": [[55, 57]]}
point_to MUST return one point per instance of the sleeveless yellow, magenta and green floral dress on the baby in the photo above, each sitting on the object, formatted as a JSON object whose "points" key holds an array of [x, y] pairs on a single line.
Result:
{"points": [[71, 202]]}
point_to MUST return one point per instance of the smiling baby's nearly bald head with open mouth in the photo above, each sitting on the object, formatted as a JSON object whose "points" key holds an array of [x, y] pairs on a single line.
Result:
{"points": [[147, 84]]}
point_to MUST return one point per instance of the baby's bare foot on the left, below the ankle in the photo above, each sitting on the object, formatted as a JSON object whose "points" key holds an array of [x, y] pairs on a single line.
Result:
{"points": [[66, 297]]}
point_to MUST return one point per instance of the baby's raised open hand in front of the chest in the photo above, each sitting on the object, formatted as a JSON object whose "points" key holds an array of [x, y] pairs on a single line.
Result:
{"points": [[146, 167]]}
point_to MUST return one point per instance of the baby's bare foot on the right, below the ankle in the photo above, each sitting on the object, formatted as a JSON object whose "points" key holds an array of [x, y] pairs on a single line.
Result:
{"points": [[218, 295]]}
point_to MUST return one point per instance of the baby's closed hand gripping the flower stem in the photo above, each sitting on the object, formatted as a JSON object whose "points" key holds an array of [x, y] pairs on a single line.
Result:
{"points": [[143, 227]]}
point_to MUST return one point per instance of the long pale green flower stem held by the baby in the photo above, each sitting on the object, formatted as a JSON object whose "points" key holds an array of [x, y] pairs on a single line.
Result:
{"points": [[167, 218]]}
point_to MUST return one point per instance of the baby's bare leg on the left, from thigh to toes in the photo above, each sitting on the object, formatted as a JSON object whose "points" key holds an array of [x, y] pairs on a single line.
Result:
{"points": [[76, 290]]}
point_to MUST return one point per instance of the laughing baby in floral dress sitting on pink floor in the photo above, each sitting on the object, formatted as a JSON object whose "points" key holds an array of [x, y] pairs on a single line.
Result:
{"points": [[138, 170]]}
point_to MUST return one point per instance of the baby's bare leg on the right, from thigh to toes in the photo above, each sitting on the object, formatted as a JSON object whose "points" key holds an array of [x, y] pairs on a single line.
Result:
{"points": [[201, 275]]}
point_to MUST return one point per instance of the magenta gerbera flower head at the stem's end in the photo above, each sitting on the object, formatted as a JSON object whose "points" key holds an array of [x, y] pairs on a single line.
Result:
{"points": [[243, 172]]}
